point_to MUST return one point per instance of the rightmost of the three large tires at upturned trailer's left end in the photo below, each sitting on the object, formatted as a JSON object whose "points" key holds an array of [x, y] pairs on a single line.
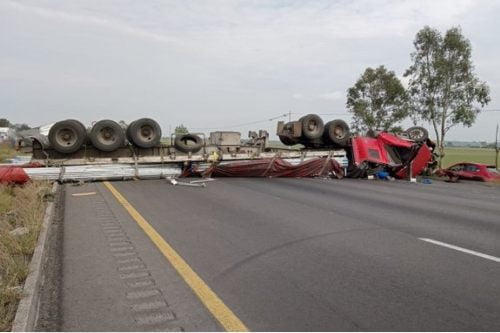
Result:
{"points": [[144, 133]]}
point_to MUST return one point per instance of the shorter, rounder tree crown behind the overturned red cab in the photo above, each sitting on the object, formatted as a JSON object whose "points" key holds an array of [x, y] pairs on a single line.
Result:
{"points": [[377, 101]]}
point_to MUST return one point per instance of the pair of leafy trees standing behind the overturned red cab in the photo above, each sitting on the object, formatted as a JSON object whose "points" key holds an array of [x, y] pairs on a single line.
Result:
{"points": [[443, 88]]}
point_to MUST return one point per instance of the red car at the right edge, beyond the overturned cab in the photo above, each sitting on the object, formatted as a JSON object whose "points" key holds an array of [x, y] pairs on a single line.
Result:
{"points": [[472, 171]]}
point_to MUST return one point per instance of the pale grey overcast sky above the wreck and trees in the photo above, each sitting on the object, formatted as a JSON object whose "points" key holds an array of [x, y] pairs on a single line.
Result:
{"points": [[214, 64]]}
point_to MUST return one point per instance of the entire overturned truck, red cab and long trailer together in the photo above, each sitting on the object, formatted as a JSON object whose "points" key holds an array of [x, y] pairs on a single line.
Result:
{"points": [[69, 151]]}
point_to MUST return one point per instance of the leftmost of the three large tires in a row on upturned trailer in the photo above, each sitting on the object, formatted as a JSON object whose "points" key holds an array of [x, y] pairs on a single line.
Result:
{"points": [[67, 136]]}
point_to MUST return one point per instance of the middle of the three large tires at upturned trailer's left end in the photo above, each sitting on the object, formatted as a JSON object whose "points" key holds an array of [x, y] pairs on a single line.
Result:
{"points": [[107, 135]]}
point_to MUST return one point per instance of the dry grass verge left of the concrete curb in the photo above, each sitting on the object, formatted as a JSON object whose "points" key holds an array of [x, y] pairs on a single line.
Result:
{"points": [[21, 209]]}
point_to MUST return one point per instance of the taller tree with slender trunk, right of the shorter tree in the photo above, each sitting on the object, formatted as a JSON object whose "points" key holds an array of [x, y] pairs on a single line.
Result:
{"points": [[443, 87]]}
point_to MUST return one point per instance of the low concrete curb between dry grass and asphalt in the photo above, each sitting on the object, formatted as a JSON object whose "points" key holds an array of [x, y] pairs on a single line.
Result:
{"points": [[27, 311]]}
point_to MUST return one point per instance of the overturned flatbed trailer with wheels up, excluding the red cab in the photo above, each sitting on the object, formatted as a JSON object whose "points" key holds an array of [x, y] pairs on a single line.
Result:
{"points": [[108, 150]]}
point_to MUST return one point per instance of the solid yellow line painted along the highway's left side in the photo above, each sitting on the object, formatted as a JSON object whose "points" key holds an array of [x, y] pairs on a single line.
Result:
{"points": [[212, 302]]}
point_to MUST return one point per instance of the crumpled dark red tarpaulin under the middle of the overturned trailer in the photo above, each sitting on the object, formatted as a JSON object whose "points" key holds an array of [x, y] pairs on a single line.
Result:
{"points": [[275, 167]]}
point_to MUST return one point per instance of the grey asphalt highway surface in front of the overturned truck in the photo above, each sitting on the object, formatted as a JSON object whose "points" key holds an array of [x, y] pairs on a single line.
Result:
{"points": [[293, 254]]}
